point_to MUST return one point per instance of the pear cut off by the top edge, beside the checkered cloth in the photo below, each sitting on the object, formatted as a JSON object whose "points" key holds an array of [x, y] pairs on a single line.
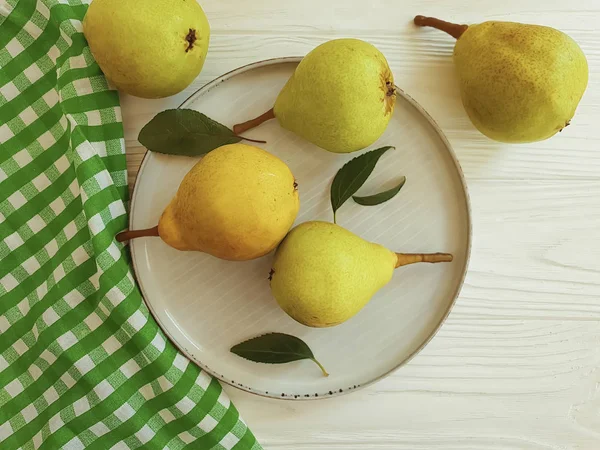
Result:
{"points": [[149, 49]]}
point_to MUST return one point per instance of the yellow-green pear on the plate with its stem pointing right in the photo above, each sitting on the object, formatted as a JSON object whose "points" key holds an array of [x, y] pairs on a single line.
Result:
{"points": [[323, 274]]}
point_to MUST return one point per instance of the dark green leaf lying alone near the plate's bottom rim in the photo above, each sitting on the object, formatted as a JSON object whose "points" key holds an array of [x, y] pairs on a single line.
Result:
{"points": [[275, 348]]}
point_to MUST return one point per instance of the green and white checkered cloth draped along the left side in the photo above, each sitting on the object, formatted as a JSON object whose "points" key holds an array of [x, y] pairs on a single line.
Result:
{"points": [[82, 364]]}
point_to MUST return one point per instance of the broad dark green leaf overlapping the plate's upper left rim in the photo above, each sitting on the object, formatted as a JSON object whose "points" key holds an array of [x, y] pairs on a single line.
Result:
{"points": [[185, 132]]}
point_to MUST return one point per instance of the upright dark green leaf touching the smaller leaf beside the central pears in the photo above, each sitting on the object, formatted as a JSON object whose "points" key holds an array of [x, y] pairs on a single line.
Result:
{"points": [[352, 176]]}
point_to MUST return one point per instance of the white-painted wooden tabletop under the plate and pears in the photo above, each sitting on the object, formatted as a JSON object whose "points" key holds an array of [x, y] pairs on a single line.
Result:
{"points": [[516, 366]]}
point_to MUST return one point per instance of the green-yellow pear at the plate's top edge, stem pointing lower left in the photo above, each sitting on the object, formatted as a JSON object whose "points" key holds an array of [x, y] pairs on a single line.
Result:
{"points": [[340, 97]]}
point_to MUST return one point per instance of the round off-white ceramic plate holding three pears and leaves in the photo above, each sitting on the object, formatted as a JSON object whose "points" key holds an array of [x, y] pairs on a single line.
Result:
{"points": [[206, 305]]}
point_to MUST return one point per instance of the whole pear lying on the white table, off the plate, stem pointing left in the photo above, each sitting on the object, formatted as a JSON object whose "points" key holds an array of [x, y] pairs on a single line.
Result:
{"points": [[518, 82]]}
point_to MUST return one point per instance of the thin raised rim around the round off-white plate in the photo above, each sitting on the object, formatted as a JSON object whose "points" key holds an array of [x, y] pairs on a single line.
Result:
{"points": [[342, 391]]}
